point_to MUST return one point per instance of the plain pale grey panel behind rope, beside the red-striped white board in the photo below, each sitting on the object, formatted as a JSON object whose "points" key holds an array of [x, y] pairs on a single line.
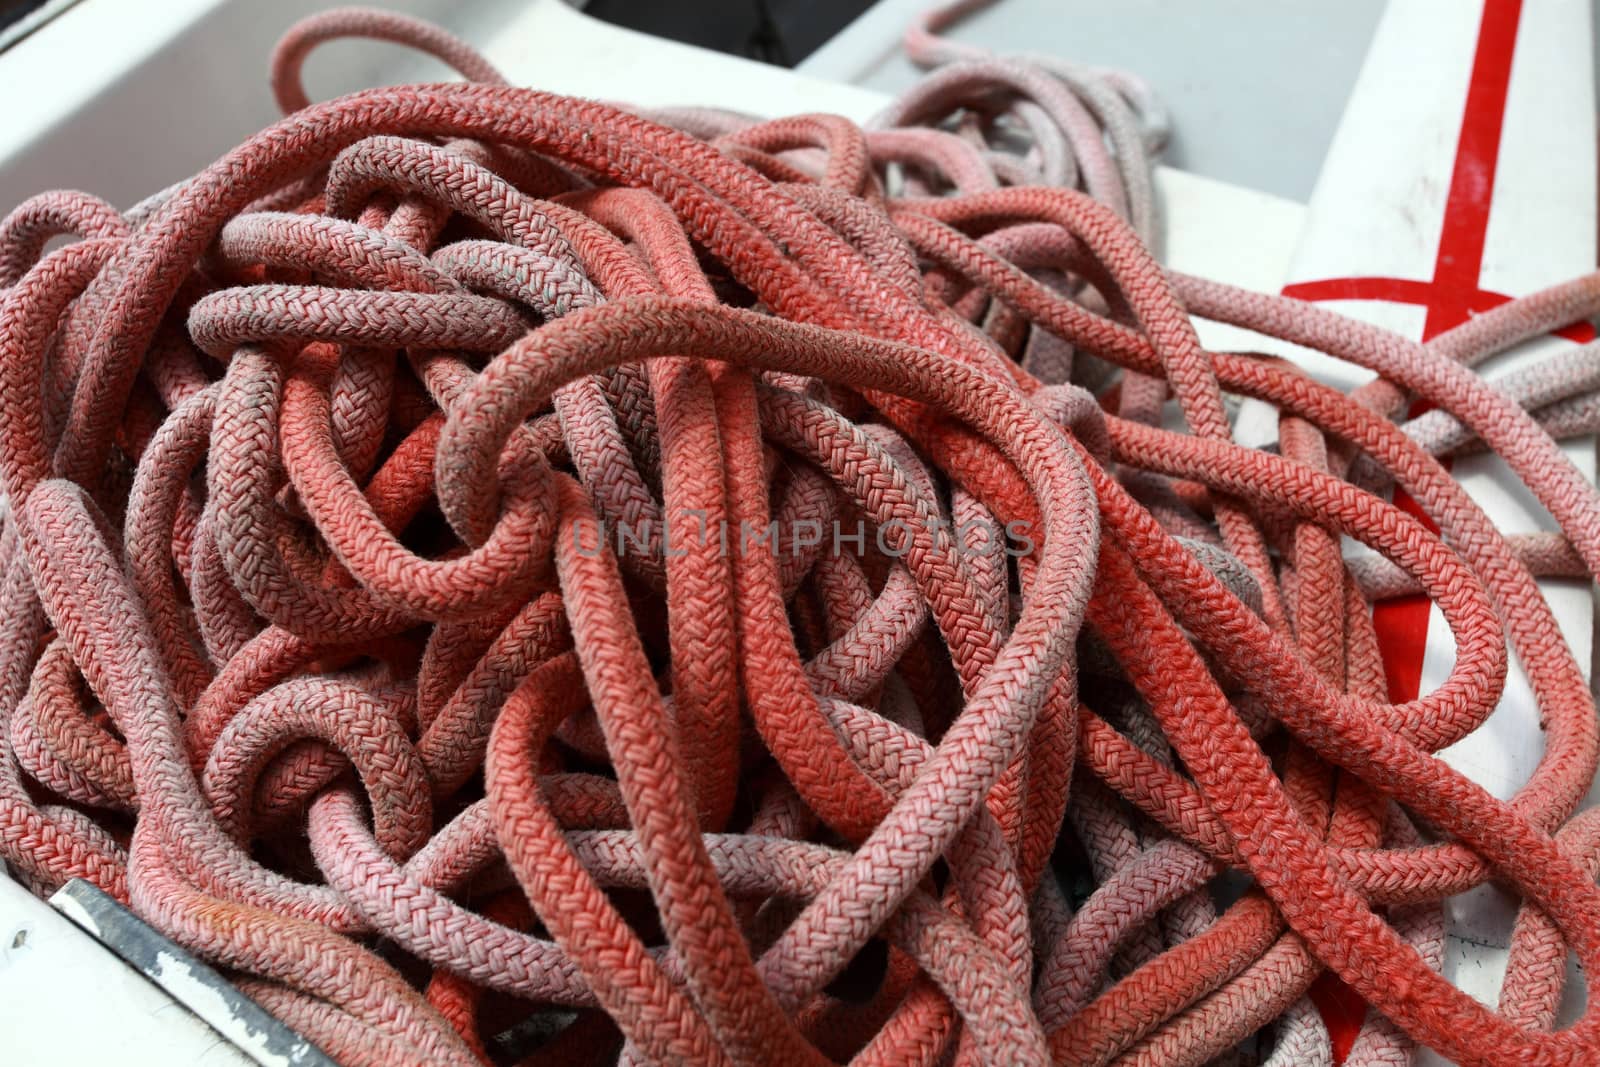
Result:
{"points": [[1255, 87]]}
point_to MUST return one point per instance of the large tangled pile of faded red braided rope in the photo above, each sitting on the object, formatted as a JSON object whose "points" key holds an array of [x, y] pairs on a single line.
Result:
{"points": [[513, 580]]}
